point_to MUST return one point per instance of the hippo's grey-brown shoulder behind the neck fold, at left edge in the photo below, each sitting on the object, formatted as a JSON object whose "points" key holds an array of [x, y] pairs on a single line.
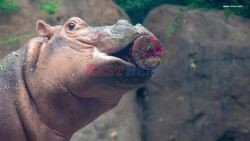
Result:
{"points": [[9, 79]]}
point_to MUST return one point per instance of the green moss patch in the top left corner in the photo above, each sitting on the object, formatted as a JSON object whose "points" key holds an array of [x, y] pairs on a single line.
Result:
{"points": [[7, 6]]}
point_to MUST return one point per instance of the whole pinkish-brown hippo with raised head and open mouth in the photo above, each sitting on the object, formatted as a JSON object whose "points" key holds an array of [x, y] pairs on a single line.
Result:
{"points": [[70, 74]]}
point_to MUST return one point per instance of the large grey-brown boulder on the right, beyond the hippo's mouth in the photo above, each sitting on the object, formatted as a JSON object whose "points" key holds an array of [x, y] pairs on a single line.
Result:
{"points": [[201, 91]]}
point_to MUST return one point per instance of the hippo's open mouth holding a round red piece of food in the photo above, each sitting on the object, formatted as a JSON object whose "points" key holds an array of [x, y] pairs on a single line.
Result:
{"points": [[145, 52]]}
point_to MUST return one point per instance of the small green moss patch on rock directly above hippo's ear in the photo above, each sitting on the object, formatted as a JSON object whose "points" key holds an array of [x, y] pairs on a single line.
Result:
{"points": [[50, 7]]}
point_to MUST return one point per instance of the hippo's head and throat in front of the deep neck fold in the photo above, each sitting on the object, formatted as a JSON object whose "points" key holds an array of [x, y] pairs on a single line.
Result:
{"points": [[73, 64]]}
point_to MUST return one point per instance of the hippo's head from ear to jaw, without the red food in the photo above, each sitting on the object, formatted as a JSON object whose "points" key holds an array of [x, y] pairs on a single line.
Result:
{"points": [[89, 61]]}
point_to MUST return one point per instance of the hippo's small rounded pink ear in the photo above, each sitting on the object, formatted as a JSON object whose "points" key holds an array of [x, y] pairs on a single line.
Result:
{"points": [[44, 29]]}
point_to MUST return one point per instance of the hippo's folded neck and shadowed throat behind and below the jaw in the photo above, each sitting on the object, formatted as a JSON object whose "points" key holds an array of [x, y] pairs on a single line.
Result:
{"points": [[57, 111]]}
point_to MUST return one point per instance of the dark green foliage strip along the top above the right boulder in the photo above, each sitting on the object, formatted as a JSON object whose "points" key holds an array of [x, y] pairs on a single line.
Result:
{"points": [[138, 9]]}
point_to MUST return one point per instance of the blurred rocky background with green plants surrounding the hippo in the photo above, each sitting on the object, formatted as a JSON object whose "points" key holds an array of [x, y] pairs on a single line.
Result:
{"points": [[201, 91]]}
